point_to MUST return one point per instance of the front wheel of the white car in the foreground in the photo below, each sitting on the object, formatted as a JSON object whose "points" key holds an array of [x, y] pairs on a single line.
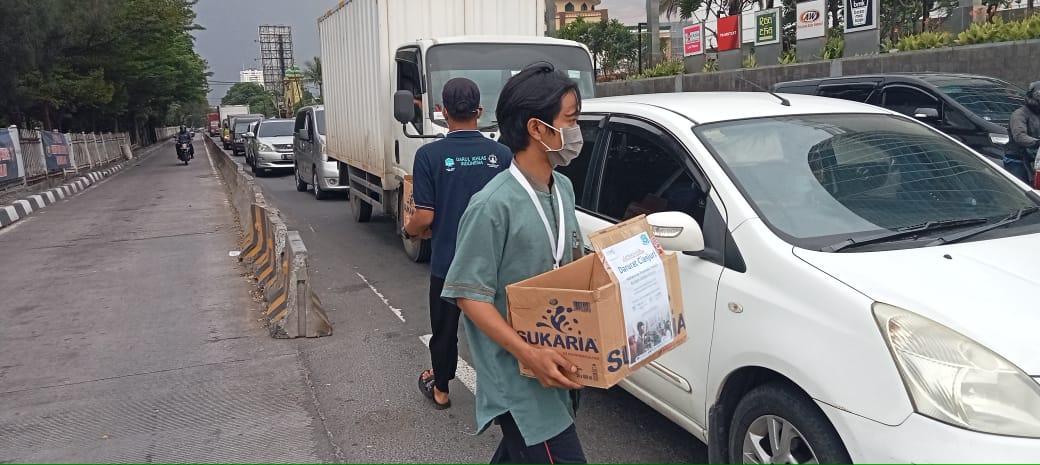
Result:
{"points": [[779, 407]]}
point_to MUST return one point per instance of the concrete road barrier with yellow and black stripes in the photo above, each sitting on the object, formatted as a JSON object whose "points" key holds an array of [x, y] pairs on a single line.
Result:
{"points": [[275, 255]]}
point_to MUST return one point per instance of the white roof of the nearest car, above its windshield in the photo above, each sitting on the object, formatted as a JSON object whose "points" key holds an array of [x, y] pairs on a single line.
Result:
{"points": [[718, 107]]}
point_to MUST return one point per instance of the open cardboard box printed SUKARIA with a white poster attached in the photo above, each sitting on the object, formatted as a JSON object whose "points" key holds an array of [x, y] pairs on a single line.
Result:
{"points": [[609, 314]]}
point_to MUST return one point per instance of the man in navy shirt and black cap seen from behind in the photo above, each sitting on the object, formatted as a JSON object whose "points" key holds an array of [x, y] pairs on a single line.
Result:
{"points": [[448, 174]]}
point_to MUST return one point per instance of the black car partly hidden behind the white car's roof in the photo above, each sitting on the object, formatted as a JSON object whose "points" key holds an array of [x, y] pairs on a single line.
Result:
{"points": [[974, 110]]}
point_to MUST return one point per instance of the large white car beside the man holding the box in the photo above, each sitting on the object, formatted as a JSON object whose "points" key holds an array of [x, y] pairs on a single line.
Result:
{"points": [[857, 286]]}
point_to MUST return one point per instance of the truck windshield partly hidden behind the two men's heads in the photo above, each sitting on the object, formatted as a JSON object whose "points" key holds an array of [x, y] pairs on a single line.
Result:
{"points": [[491, 65]]}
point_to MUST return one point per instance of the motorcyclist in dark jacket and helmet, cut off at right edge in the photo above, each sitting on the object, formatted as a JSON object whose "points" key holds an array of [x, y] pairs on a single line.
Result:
{"points": [[1025, 134]]}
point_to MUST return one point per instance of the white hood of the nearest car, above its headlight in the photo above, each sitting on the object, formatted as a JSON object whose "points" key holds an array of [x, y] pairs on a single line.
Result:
{"points": [[986, 291]]}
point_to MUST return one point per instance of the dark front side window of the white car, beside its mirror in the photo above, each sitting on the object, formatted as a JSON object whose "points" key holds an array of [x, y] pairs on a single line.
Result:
{"points": [[644, 174]]}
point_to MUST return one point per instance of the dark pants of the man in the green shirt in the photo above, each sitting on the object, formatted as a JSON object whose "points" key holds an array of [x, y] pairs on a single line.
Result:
{"points": [[565, 448]]}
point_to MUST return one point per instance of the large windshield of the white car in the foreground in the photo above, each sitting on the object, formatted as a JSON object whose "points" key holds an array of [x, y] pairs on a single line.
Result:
{"points": [[822, 178]]}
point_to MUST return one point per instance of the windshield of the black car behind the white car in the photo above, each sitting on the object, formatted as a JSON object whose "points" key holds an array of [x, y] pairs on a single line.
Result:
{"points": [[991, 99]]}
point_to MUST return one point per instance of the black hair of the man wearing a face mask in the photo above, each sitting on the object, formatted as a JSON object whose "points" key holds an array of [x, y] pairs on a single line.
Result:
{"points": [[536, 92]]}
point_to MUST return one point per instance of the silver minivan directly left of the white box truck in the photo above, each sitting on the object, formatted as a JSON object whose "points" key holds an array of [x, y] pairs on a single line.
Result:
{"points": [[313, 166]]}
